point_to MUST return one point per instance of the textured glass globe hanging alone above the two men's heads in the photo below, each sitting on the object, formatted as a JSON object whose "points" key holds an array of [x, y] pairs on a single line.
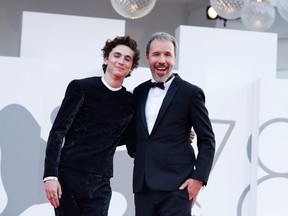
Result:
{"points": [[133, 9]]}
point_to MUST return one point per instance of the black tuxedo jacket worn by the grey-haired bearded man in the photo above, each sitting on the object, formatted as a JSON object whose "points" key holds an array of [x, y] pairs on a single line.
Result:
{"points": [[165, 158]]}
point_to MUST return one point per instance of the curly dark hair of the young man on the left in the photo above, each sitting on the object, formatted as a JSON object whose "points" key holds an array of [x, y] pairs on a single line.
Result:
{"points": [[121, 40]]}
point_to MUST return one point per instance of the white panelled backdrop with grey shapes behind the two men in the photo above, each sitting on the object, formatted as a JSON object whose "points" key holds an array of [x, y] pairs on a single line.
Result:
{"points": [[242, 94]]}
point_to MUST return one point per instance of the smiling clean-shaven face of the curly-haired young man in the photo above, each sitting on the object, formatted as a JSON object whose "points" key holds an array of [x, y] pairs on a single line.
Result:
{"points": [[120, 60]]}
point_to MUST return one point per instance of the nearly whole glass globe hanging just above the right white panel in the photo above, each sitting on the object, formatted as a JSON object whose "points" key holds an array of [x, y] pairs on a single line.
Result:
{"points": [[258, 15]]}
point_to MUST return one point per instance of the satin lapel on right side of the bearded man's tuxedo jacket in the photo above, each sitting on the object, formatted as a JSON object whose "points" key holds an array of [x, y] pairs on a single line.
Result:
{"points": [[167, 100]]}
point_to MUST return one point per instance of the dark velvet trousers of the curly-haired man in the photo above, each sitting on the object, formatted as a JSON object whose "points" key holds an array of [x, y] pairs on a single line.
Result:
{"points": [[83, 194]]}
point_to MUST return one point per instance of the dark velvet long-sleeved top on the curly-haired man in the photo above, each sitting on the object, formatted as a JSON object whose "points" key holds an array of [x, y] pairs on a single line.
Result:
{"points": [[91, 117]]}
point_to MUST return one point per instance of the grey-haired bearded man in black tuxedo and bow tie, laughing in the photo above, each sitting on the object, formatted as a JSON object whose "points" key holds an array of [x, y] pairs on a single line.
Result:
{"points": [[167, 174]]}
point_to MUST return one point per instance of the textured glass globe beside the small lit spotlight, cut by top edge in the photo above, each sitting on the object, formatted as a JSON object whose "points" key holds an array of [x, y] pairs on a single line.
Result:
{"points": [[228, 9]]}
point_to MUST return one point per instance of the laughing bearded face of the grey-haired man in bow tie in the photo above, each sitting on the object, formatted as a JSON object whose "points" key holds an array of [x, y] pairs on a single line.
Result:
{"points": [[161, 59]]}
